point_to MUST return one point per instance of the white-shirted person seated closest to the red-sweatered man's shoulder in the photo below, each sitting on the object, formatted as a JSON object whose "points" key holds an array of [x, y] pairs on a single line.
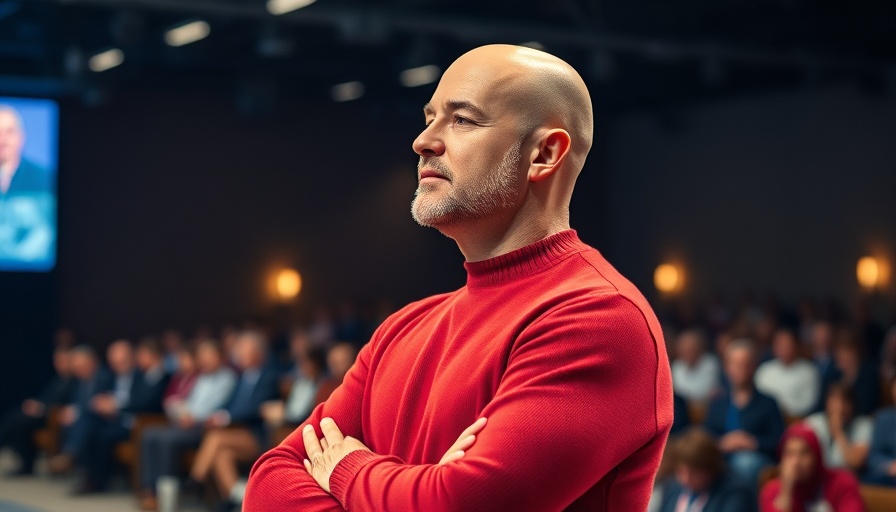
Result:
{"points": [[695, 371]]}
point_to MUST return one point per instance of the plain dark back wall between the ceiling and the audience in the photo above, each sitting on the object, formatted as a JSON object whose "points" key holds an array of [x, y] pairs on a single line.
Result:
{"points": [[175, 209]]}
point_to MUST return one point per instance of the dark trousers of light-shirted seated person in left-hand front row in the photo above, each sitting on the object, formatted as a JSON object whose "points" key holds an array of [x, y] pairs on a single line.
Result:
{"points": [[161, 450]]}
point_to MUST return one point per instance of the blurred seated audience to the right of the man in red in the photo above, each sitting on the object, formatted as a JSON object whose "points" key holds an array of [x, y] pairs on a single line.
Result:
{"points": [[778, 410]]}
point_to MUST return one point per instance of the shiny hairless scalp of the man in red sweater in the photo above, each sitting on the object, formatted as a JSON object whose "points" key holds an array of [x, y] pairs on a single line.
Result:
{"points": [[543, 89]]}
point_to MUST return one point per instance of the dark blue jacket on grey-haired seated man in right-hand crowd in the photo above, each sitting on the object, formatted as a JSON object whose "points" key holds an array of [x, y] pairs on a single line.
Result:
{"points": [[761, 418]]}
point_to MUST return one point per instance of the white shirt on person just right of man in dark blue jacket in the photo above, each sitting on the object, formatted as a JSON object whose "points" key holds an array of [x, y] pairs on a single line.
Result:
{"points": [[795, 387]]}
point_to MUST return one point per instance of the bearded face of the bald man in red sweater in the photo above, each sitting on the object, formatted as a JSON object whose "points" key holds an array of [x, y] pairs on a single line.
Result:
{"points": [[470, 152]]}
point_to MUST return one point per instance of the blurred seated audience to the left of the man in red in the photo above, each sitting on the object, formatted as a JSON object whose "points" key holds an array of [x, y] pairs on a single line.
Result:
{"points": [[193, 413]]}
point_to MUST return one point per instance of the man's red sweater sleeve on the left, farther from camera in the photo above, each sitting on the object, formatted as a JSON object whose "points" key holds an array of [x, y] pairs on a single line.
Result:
{"points": [[279, 481]]}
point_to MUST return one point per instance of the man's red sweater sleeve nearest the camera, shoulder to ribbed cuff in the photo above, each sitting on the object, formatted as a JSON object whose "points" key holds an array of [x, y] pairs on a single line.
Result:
{"points": [[578, 397]]}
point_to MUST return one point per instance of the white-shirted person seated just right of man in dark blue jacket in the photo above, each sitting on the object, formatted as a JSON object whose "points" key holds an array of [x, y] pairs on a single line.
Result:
{"points": [[792, 381]]}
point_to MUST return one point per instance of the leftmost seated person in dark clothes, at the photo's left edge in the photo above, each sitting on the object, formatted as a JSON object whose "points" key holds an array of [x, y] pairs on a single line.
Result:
{"points": [[18, 426]]}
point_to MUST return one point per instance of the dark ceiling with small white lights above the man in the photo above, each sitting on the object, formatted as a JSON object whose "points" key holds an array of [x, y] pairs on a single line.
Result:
{"points": [[633, 52]]}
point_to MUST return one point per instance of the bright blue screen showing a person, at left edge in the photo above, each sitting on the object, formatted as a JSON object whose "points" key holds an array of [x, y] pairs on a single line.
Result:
{"points": [[28, 159]]}
